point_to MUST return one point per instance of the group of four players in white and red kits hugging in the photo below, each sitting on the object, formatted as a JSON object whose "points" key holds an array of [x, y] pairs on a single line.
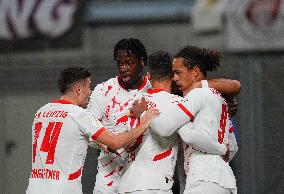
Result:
{"points": [[139, 122]]}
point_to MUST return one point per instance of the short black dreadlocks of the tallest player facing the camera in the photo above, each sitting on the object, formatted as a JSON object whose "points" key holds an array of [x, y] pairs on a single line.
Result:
{"points": [[131, 45]]}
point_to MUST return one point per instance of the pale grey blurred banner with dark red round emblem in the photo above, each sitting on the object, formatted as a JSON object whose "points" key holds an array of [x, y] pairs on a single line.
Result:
{"points": [[255, 25]]}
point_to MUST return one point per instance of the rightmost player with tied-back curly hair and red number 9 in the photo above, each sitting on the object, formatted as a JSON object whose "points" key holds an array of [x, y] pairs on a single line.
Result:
{"points": [[206, 173]]}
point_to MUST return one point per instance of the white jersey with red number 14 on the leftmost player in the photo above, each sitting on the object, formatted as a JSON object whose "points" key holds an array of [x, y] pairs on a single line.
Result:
{"points": [[61, 132]]}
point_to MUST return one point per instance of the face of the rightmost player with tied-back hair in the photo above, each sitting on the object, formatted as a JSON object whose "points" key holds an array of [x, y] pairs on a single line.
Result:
{"points": [[182, 75]]}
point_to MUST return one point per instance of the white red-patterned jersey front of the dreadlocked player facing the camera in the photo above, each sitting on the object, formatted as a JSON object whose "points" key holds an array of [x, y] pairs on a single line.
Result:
{"points": [[111, 101]]}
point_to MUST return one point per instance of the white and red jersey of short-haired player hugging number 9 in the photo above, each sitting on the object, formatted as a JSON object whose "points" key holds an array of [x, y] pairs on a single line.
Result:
{"points": [[152, 169]]}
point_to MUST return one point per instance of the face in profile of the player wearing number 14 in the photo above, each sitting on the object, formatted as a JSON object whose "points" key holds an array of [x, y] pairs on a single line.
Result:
{"points": [[85, 92]]}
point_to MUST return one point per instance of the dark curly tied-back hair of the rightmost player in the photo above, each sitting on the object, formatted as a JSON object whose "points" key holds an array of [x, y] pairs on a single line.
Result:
{"points": [[205, 59]]}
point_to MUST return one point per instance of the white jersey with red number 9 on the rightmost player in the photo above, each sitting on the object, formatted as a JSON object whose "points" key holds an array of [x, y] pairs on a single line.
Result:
{"points": [[214, 120]]}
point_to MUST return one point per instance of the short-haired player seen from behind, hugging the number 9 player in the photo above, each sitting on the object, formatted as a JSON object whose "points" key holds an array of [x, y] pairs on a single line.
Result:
{"points": [[152, 170]]}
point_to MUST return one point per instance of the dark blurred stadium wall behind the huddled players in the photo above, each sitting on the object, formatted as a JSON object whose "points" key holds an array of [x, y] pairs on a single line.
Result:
{"points": [[29, 68]]}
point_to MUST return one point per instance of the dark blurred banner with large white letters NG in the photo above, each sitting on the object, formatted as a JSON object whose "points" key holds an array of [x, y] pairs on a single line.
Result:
{"points": [[34, 24]]}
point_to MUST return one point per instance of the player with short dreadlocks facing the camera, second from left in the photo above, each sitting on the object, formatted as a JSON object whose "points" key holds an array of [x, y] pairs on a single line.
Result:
{"points": [[111, 100]]}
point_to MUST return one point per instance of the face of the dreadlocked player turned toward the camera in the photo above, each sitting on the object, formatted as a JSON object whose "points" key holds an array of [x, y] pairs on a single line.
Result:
{"points": [[129, 67]]}
